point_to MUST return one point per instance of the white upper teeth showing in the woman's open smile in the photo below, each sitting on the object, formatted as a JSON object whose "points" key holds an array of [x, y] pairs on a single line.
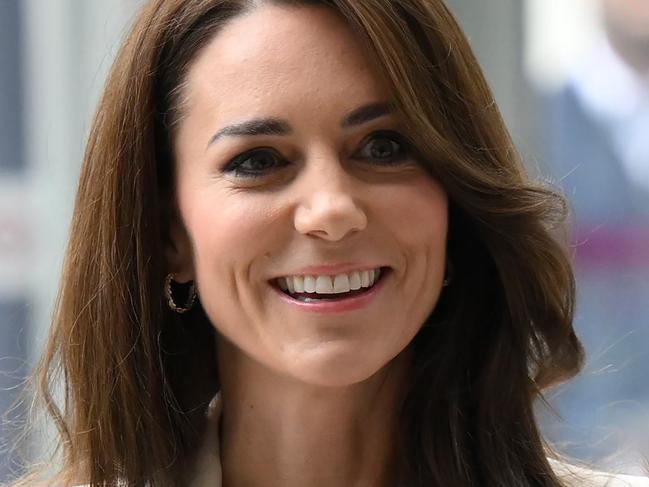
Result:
{"points": [[340, 283]]}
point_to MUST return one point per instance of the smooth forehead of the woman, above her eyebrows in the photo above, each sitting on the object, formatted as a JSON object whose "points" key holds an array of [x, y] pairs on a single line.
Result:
{"points": [[276, 57]]}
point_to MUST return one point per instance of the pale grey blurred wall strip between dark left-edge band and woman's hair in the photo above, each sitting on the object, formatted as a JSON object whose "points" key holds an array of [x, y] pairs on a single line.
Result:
{"points": [[69, 46]]}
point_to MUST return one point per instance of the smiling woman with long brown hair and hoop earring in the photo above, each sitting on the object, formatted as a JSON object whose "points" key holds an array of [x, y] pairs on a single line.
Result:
{"points": [[310, 216]]}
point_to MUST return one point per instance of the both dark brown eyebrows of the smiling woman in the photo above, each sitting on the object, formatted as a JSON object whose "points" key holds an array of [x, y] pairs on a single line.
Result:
{"points": [[276, 126]]}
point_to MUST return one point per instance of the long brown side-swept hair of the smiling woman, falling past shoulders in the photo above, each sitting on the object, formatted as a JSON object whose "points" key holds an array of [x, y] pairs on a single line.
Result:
{"points": [[135, 376]]}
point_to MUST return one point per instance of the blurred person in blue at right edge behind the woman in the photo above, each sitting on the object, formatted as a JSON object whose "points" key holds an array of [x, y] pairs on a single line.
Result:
{"points": [[597, 143]]}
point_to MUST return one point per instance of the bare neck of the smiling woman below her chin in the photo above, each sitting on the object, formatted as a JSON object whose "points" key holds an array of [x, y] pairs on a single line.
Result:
{"points": [[279, 431]]}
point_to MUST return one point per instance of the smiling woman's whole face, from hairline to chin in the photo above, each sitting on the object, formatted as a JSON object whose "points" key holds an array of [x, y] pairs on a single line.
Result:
{"points": [[289, 163]]}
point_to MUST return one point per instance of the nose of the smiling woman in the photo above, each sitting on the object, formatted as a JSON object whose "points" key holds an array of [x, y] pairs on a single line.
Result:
{"points": [[329, 209]]}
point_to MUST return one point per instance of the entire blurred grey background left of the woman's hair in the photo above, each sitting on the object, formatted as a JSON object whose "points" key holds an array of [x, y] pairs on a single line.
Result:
{"points": [[54, 56]]}
